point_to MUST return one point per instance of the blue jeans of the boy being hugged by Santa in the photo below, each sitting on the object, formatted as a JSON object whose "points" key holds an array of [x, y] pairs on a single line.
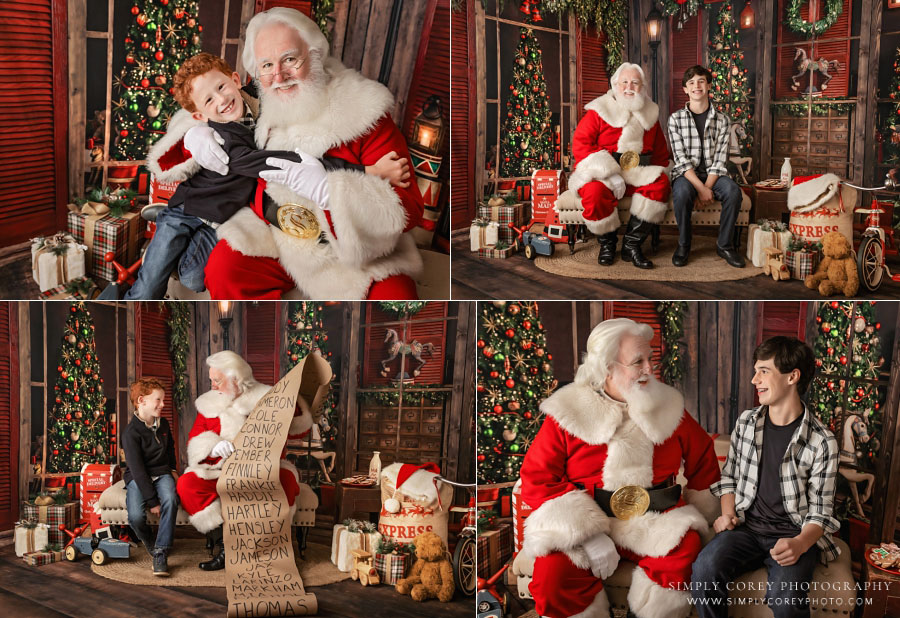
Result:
{"points": [[182, 240]]}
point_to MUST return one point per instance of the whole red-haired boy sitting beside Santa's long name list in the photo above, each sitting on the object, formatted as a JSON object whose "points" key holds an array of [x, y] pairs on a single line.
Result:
{"points": [[150, 476]]}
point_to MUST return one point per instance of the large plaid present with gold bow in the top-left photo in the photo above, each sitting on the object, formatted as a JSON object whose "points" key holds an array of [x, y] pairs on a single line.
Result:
{"points": [[105, 233]]}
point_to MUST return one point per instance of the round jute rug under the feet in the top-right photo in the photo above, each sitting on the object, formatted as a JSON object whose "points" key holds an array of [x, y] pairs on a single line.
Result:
{"points": [[703, 265]]}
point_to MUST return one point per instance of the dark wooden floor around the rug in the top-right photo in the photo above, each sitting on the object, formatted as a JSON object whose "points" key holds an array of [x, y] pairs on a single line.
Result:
{"points": [[516, 277]]}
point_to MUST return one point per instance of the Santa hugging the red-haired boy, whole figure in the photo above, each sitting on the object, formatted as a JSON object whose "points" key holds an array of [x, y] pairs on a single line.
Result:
{"points": [[344, 234]]}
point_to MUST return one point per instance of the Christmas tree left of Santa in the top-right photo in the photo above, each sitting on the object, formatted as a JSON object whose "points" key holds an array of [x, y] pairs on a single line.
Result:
{"points": [[526, 140]]}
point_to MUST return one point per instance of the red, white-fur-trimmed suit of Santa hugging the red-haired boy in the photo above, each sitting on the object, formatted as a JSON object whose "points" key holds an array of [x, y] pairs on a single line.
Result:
{"points": [[370, 251]]}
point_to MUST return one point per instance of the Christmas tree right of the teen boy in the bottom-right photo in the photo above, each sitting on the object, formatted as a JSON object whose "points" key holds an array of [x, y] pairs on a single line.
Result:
{"points": [[848, 361]]}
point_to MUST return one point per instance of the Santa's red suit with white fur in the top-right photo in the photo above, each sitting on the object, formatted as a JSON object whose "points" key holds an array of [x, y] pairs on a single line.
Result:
{"points": [[598, 181]]}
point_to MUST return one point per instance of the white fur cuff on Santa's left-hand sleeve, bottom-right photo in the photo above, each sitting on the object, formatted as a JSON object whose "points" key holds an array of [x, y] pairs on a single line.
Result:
{"points": [[563, 524]]}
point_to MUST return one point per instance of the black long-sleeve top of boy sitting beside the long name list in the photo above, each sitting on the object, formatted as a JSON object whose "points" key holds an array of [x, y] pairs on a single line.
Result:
{"points": [[148, 453]]}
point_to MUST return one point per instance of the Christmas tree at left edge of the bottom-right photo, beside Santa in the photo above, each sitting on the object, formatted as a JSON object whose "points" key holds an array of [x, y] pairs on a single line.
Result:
{"points": [[515, 374]]}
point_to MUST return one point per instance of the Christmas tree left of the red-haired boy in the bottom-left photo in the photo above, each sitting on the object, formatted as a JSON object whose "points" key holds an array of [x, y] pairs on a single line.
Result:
{"points": [[77, 432]]}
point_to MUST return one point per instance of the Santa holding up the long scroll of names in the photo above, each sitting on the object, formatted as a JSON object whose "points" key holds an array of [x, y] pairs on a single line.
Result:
{"points": [[220, 415]]}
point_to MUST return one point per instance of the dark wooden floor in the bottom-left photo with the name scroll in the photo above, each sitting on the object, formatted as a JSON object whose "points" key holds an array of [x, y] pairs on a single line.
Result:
{"points": [[71, 589]]}
